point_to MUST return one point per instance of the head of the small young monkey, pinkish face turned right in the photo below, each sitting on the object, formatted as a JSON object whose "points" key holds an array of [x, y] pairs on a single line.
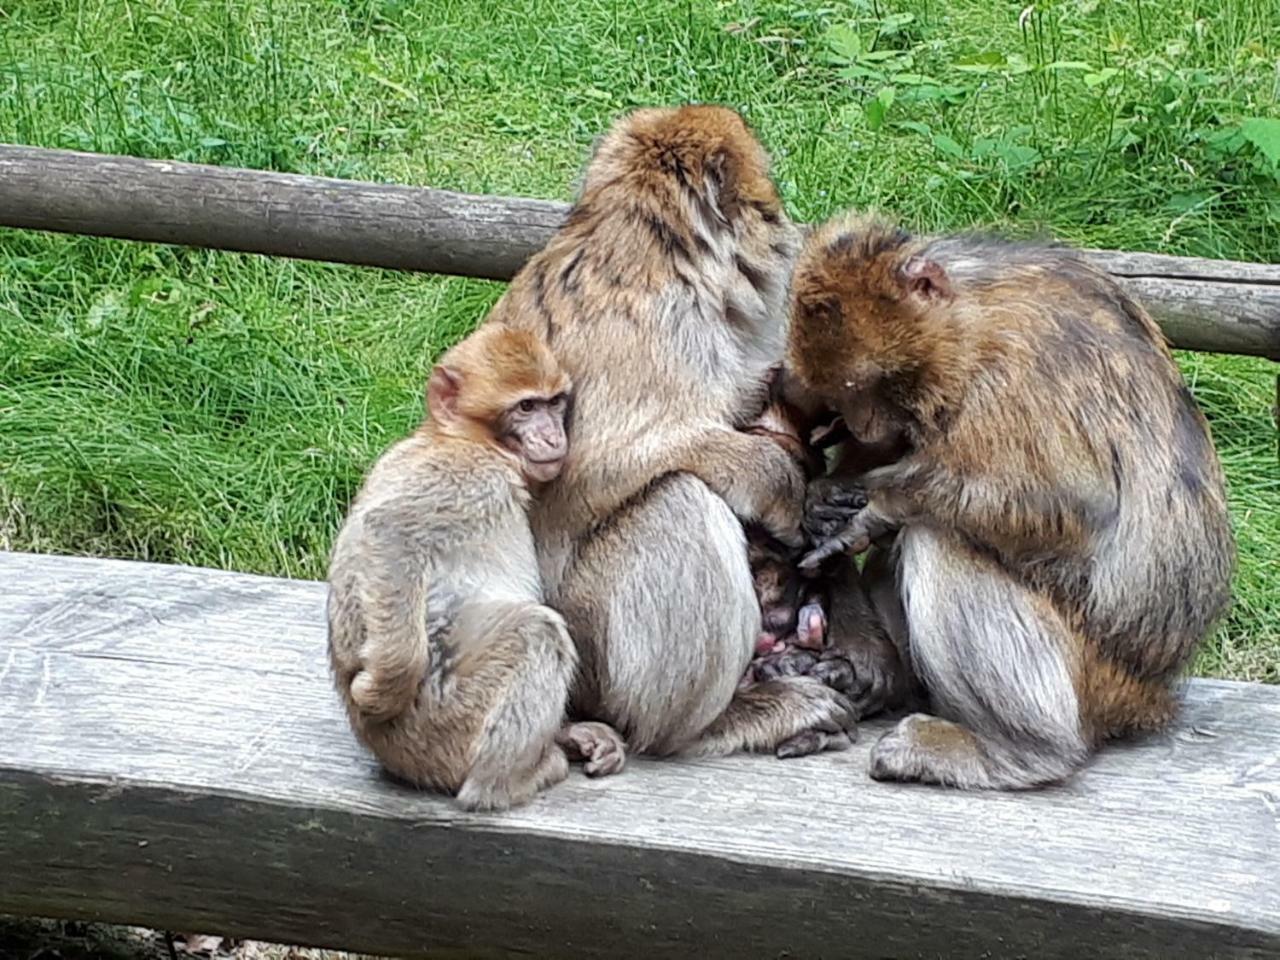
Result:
{"points": [[502, 387]]}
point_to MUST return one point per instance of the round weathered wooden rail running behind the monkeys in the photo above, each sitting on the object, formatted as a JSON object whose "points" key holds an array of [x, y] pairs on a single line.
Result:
{"points": [[1209, 305]]}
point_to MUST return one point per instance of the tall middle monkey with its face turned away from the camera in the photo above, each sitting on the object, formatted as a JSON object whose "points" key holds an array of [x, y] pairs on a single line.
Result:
{"points": [[664, 296]]}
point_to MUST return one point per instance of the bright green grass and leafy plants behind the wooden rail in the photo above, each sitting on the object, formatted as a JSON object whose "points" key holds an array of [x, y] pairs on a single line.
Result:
{"points": [[220, 409]]}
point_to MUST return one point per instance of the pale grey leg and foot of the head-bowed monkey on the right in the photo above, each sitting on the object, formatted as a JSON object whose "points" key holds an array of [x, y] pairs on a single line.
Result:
{"points": [[999, 664]]}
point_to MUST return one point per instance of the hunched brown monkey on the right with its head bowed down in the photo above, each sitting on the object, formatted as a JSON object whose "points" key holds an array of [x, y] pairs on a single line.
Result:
{"points": [[1060, 534]]}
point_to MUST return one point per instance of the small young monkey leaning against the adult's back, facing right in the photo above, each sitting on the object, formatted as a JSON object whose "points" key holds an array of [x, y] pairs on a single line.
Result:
{"points": [[452, 670]]}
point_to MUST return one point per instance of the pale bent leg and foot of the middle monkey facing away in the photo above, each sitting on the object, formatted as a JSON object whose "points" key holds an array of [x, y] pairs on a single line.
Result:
{"points": [[662, 606]]}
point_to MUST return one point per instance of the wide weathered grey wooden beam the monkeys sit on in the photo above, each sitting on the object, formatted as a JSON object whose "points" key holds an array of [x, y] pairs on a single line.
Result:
{"points": [[172, 755]]}
